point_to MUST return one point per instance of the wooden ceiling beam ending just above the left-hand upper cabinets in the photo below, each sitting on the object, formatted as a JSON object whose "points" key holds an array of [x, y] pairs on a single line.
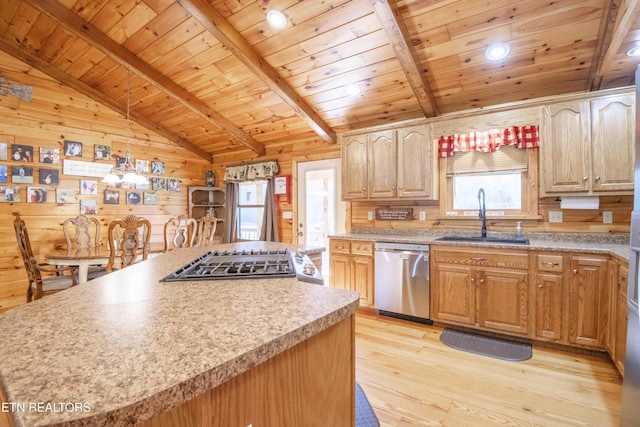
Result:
{"points": [[230, 38]]}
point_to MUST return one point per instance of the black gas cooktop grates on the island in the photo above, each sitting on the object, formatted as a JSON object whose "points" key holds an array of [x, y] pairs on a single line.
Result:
{"points": [[236, 265]]}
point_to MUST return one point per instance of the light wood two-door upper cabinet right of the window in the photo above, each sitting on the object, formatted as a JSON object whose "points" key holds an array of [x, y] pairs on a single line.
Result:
{"points": [[587, 147]]}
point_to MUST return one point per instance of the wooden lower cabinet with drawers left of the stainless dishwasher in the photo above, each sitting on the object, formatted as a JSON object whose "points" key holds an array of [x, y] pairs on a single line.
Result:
{"points": [[351, 268]]}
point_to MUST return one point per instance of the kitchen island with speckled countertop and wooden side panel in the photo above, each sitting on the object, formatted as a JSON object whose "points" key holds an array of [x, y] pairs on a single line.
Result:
{"points": [[128, 348]]}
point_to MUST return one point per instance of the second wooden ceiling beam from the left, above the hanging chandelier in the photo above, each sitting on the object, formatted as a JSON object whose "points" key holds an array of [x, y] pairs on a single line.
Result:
{"points": [[125, 58]]}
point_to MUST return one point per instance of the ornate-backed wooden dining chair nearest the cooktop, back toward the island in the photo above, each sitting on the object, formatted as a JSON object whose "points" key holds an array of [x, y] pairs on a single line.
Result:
{"points": [[128, 241]]}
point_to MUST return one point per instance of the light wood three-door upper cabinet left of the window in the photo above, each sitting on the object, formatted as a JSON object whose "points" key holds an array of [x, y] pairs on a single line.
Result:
{"points": [[396, 164]]}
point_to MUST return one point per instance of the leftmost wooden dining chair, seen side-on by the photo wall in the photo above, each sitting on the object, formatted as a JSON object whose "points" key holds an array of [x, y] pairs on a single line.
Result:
{"points": [[60, 277]]}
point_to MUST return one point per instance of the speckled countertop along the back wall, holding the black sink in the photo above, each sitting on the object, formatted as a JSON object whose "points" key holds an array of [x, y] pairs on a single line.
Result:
{"points": [[615, 245]]}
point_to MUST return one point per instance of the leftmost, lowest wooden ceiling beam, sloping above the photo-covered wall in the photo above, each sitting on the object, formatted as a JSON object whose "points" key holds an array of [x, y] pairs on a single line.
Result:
{"points": [[55, 73]]}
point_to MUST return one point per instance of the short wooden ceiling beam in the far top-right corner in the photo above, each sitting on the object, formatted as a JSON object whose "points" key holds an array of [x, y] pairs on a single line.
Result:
{"points": [[618, 17]]}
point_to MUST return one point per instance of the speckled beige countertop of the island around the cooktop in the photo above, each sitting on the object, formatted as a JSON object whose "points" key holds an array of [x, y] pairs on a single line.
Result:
{"points": [[125, 347]]}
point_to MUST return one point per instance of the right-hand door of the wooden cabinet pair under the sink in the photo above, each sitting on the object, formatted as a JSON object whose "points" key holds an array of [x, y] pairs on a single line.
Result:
{"points": [[503, 300]]}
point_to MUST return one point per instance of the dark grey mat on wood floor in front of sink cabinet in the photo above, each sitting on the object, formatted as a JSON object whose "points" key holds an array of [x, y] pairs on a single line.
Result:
{"points": [[486, 346]]}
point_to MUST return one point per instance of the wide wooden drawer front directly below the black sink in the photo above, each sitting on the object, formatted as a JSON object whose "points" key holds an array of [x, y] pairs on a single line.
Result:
{"points": [[482, 257]]}
